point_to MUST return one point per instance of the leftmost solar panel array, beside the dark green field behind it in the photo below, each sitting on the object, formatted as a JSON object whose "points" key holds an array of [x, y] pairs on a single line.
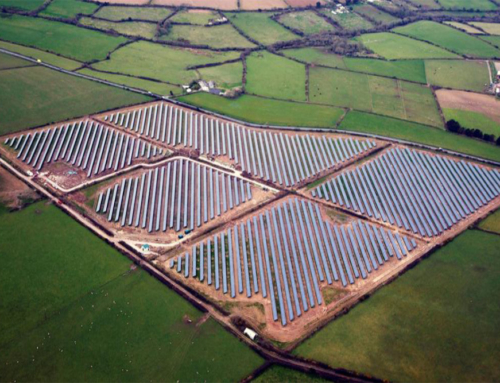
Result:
{"points": [[85, 144]]}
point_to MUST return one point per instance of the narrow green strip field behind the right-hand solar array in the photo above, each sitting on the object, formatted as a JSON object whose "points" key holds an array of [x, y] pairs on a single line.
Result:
{"points": [[404, 130]]}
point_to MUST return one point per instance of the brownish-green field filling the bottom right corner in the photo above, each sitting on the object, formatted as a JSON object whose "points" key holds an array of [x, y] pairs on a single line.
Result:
{"points": [[437, 322]]}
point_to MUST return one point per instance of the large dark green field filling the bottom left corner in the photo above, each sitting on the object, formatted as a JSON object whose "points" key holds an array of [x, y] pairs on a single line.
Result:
{"points": [[71, 307]]}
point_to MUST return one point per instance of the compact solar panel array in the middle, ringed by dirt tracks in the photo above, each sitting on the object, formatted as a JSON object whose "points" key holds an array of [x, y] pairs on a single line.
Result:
{"points": [[181, 194]]}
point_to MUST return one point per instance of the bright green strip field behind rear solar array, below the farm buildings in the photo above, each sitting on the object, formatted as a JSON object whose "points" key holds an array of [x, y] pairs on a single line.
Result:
{"points": [[268, 112]]}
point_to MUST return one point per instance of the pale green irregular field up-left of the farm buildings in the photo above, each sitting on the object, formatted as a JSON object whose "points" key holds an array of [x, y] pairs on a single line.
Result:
{"points": [[169, 65]]}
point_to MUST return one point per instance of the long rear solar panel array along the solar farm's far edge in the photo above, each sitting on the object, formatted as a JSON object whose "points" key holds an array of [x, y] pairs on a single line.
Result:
{"points": [[287, 159]]}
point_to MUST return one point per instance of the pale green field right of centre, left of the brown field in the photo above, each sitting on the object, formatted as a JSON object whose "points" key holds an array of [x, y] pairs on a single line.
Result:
{"points": [[375, 94]]}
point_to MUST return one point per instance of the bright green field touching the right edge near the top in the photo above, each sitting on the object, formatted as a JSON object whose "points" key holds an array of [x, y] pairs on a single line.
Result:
{"points": [[449, 38]]}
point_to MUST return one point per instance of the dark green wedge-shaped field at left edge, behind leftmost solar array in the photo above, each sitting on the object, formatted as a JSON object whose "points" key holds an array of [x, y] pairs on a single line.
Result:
{"points": [[36, 96]]}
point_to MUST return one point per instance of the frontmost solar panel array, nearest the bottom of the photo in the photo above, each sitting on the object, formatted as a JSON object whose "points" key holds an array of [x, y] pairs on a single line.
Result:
{"points": [[286, 252]]}
